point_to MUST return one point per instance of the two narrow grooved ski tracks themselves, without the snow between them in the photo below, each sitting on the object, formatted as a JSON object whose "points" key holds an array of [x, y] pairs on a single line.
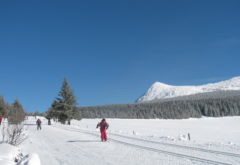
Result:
{"points": [[179, 155]]}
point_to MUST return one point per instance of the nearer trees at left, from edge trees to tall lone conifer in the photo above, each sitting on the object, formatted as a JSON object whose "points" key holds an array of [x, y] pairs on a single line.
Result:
{"points": [[63, 108]]}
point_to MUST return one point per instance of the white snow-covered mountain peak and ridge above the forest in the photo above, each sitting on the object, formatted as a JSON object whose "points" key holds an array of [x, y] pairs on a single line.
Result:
{"points": [[161, 91]]}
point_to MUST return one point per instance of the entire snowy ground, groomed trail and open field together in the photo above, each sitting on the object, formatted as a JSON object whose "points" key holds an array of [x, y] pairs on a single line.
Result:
{"points": [[137, 141]]}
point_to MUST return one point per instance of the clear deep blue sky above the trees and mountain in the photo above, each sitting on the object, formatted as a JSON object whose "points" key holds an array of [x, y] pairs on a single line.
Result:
{"points": [[112, 51]]}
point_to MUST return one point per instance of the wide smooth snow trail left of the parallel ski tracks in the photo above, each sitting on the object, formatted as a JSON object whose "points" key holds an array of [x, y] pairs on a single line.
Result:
{"points": [[58, 146]]}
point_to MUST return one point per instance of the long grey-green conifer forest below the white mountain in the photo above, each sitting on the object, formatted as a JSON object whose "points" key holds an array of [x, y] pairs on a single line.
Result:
{"points": [[213, 104]]}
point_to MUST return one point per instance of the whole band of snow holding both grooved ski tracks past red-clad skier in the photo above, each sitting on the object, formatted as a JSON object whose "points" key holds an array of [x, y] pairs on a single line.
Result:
{"points": [[195, 154]]}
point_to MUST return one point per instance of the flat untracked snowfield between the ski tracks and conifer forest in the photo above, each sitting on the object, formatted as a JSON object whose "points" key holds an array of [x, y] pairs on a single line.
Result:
{"points": [[203, 130]]}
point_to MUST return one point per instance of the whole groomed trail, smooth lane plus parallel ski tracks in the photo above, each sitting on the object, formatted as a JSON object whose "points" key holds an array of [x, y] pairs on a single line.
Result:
{"points": [[62, 144]]}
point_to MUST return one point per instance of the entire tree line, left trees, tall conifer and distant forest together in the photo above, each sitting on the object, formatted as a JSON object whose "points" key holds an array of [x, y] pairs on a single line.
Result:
{"points": [[64, 107]]}
